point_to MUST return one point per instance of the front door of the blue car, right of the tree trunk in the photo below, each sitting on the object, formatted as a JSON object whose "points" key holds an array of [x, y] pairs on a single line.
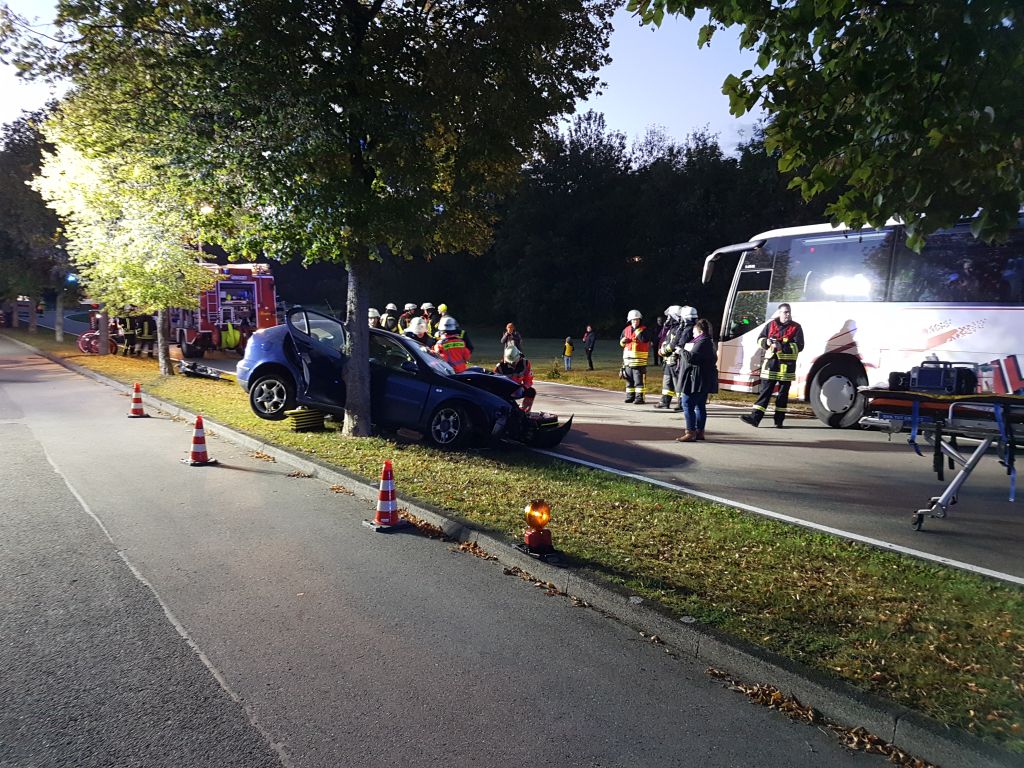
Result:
{"points": [[398, 383]]}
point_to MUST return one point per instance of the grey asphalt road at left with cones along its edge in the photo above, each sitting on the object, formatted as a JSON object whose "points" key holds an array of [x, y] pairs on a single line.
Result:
{"points": [[273, 628]]}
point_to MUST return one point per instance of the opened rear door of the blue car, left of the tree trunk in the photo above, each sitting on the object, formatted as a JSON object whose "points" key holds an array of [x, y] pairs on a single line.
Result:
{"points": [[320, 343]]}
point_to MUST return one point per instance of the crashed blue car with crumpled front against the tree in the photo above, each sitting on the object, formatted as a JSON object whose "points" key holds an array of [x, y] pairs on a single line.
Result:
{"points": [[303, 363]]}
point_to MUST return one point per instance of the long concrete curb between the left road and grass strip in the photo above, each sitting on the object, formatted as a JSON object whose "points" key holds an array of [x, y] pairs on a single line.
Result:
{"points": [[836, 700]]}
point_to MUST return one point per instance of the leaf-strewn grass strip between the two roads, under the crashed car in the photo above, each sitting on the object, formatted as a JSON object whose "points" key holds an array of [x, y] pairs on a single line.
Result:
{"points": [[940, 641]]}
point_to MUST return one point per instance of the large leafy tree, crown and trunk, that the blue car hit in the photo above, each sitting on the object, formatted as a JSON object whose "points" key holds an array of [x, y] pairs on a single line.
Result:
{"points": [[335, 132]]}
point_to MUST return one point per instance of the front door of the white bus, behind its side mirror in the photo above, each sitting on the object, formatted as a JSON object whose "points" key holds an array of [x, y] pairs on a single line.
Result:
{"points": [[747, 311]]}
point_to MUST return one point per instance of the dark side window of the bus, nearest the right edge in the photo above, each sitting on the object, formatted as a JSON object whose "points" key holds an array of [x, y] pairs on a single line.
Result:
{"points": [[956, 267]]}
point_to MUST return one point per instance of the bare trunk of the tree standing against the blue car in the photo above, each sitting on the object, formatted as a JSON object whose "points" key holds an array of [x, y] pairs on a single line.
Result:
{"points": [[358, 368]]}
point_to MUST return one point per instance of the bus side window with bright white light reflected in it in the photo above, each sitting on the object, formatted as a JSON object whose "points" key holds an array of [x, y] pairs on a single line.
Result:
{"points": [[850, 267]]}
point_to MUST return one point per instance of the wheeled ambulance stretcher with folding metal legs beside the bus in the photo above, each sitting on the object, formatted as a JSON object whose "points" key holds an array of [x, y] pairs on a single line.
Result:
{"points": [[943, 421]]}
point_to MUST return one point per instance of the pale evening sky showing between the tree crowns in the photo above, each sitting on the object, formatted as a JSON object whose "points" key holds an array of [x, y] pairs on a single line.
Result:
{"points": [[657, 78]]}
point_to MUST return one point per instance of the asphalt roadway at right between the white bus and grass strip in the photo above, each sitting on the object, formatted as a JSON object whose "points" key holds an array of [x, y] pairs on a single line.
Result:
{"points": [[856, 481]]}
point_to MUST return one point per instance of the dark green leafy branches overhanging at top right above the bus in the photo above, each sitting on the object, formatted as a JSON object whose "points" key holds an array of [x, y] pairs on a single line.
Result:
{"points": [[908, 109]]}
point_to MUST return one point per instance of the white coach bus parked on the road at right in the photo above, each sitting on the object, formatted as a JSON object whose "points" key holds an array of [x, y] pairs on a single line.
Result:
{"points": [[870, 306]]}
